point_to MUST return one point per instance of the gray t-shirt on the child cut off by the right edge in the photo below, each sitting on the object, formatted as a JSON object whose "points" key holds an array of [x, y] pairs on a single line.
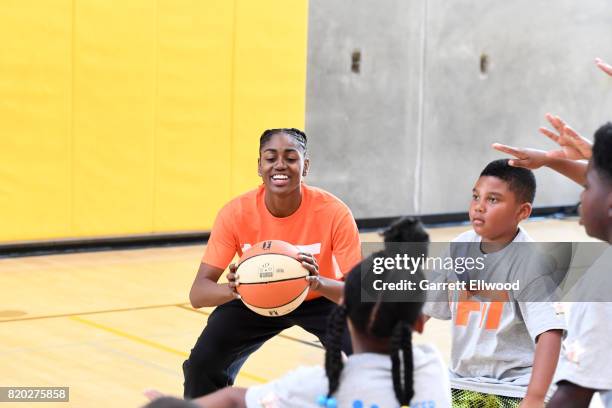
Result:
{"points": [[586, 356]]}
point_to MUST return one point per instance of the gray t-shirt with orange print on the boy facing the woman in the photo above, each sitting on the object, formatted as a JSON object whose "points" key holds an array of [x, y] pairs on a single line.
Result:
{"points": [[493, 343]]}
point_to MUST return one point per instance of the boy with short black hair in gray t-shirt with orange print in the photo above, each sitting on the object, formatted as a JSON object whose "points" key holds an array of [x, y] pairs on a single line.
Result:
{"points": [[504, 347]]}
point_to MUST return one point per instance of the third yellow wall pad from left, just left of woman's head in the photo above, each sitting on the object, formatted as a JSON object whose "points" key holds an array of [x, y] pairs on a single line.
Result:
{"points": [[193, 137]]}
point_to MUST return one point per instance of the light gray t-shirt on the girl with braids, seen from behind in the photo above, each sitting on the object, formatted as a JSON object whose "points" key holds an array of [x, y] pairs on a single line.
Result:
{"points": [[366, 377]]}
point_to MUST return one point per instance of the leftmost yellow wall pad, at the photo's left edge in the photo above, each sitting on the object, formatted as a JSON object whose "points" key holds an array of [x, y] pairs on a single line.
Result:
{"points": [[35, 119]]}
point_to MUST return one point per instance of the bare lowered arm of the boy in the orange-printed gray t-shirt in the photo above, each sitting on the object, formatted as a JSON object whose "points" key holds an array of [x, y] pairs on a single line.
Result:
{"points": [[548, 347]]}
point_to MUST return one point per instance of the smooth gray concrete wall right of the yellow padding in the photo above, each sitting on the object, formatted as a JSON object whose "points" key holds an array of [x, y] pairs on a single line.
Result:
{"points": [[410, 132]]}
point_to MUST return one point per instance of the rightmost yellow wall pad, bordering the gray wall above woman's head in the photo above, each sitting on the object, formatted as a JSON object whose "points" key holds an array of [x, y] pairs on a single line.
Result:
{"points": [[270, 77]]}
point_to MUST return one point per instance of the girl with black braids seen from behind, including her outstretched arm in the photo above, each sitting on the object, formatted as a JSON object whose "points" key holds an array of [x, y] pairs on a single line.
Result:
{"points": [[386, 369]]}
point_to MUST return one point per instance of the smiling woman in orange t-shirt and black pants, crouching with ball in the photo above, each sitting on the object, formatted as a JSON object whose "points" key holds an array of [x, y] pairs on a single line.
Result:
{"points": [[283, 208]]}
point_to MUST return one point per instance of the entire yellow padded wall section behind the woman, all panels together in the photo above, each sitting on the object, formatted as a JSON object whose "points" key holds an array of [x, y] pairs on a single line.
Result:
{"points": [[138, 116]]}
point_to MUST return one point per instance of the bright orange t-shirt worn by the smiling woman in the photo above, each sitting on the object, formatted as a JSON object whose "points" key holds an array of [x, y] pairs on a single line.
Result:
{"points": [[322, 225]]}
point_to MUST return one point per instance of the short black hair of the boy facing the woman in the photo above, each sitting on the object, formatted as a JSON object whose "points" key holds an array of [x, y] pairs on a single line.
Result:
{"points": [[520, 181]]}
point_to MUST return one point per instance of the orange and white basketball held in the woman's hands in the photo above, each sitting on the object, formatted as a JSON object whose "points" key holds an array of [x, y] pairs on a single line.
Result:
{"points": [[272, 278]]}
